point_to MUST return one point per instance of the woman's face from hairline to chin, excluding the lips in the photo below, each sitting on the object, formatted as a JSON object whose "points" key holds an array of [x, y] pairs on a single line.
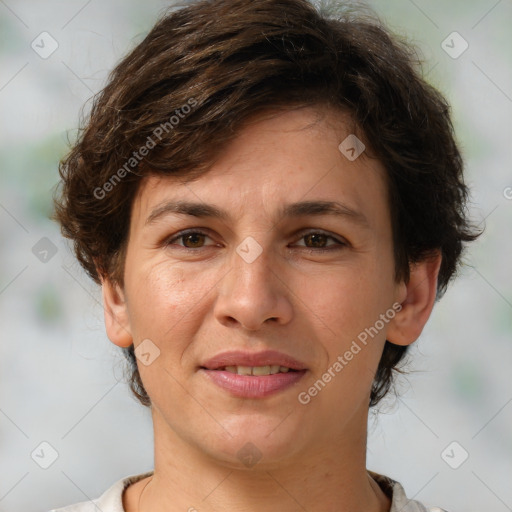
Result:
{"points": [[276, 272]]}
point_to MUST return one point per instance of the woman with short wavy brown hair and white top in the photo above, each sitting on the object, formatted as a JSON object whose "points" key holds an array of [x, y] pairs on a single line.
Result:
{"points": [[272, 200]]}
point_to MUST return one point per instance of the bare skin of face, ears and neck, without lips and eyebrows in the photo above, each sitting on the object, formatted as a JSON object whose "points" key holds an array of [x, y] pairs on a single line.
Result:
{"points": [[194, 303]]}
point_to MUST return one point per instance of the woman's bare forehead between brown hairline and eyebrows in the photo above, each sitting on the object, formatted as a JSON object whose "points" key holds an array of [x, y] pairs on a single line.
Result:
{"points": [[277, 158]]}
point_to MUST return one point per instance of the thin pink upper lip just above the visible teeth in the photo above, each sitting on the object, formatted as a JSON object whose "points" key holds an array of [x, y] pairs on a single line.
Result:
{"points": [[241, 358]]}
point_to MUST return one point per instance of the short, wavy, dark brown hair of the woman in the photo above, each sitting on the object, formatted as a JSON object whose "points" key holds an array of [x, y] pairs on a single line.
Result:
{"points": [[213, 63]]}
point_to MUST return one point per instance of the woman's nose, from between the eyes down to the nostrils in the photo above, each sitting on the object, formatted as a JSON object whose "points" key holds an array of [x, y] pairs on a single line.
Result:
{"points": [[253, 294]]}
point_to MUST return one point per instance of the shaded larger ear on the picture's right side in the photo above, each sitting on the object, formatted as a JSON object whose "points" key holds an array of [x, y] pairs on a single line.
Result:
{"points": [[417, 300]]}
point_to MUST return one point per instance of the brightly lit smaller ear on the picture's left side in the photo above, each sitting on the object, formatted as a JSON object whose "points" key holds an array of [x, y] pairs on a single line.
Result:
{"points": [[117, 320]]}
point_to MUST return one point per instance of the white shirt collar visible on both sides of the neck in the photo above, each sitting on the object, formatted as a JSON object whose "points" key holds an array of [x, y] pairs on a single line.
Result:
{"points": [[112, 499]]}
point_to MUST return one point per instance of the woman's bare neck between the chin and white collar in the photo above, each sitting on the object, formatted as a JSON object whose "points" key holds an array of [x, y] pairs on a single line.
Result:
{"points": [[329, 475]]}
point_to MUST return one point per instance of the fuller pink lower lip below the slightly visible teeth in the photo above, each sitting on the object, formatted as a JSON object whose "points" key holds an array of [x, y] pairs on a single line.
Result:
{"points": [[253, 386]]}
